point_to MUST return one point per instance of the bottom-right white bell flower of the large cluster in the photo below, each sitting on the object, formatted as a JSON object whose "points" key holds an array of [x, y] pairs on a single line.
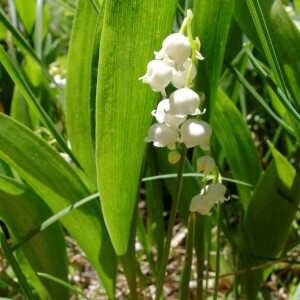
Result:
{"points": [[194, 132]]}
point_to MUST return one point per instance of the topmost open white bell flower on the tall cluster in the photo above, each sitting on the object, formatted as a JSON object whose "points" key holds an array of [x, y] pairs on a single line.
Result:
{"points": [[177, 47]]}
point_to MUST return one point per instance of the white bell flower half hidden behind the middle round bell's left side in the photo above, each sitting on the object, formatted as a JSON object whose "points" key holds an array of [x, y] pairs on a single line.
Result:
{"points": [[162, 117]]}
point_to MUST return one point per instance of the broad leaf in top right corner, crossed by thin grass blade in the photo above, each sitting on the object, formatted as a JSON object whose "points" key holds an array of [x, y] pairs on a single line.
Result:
{"points": [[283, 34]]}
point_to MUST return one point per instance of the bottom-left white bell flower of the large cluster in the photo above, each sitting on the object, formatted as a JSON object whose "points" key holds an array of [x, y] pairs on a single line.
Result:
{"points": [[162, 135]]}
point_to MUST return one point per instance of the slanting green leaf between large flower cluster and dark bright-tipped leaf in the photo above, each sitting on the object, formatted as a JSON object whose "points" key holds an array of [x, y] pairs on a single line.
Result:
{"points": [[234, 136]]}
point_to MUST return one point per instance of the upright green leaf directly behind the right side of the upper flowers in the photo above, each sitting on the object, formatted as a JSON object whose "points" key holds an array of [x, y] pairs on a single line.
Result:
{"points": [[211, 24]]}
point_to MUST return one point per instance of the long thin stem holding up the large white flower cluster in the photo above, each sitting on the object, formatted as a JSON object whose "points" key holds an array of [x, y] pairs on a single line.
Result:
{"points": [[164, 261]]}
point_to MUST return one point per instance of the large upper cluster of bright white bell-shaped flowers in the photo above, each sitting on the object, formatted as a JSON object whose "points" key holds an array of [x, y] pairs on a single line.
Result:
{"points": [[174, 64]]}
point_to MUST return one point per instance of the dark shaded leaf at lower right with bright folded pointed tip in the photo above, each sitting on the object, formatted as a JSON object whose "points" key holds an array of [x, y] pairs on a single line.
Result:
{"points": [[269, 217]]}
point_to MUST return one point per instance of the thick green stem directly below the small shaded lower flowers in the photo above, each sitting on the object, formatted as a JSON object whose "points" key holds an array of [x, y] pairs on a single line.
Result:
{"points": [[186, 271]]}
